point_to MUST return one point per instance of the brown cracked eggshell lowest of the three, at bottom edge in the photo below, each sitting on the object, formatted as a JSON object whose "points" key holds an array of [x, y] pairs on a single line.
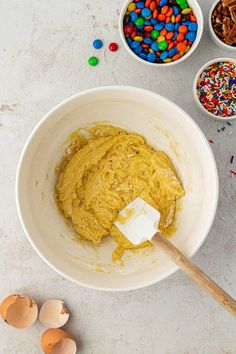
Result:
{"points": [[58, 341]]}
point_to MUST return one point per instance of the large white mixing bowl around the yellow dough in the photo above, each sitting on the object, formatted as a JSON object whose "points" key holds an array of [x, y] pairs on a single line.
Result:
{"points": [[166, 127]]}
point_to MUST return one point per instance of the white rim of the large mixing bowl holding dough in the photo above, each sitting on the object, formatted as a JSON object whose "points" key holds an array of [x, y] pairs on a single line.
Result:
{"points": [[18, 201]]}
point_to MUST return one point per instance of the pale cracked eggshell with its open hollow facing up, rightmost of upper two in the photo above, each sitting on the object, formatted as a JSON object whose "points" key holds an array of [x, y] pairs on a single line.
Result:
{"points": [[53, 314]]}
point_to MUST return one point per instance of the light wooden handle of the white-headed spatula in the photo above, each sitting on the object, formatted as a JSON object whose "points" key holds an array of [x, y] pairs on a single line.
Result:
{"points": [[195, 273]]}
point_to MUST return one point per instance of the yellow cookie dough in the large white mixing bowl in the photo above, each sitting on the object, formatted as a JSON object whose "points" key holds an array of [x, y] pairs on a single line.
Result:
{"points": [[100, 175]]}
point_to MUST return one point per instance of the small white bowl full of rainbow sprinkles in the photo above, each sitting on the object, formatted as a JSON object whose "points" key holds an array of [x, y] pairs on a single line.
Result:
{"points": [[214, 88]]}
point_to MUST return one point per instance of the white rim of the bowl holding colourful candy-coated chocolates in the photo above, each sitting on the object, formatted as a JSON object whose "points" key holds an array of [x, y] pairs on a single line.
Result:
{"points": [[186, 56]]}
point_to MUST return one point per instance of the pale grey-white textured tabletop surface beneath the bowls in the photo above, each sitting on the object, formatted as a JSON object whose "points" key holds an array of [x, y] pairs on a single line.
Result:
{"points": [[43, 53]]}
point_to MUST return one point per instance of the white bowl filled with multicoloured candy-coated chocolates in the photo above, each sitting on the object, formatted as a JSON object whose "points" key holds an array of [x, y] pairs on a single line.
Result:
{"points": [[161, 32]]}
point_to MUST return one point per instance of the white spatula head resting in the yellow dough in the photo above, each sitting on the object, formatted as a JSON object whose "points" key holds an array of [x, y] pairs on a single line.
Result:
{"points": [[138, 221]]}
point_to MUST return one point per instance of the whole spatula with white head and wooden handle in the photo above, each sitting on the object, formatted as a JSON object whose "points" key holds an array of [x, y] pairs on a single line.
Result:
{"points": [[139, 221]]}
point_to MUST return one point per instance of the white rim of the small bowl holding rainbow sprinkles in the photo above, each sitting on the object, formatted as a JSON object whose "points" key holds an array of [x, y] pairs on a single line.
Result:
{"points": [[202, 68]]}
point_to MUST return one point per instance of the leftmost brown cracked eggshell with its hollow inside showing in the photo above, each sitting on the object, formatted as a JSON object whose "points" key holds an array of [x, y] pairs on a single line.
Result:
{"points": [[19, 311]]}
